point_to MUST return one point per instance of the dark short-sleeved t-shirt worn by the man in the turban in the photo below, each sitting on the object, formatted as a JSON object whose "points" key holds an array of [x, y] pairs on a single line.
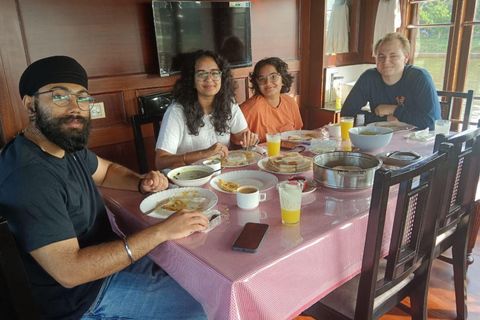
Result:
{"points": [[46, 199]]}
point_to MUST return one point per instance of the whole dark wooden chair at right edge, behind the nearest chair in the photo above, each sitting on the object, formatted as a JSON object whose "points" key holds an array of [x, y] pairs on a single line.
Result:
{"points": [[459, 198]]}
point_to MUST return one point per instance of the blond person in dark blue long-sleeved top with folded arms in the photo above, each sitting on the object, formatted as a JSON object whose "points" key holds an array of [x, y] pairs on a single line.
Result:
{"points": [[396, 91]]}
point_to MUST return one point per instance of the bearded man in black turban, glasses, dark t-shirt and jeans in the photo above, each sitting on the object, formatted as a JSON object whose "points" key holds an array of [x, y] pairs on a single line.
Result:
{"points": [[76, 265]]}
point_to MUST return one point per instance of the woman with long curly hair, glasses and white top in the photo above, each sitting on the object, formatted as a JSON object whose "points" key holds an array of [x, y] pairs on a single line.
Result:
{"points": [[199, 122]]}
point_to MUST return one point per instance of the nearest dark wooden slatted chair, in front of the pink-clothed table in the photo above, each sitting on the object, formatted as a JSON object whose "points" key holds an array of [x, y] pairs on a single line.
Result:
{"points": [[405, 270]]}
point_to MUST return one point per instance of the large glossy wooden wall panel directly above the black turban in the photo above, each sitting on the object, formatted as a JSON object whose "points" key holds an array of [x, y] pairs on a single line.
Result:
{"points": [[107, 37]]}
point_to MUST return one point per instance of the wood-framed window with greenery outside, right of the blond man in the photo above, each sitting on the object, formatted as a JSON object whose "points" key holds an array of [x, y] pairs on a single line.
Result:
{"points": [[439, 31]]}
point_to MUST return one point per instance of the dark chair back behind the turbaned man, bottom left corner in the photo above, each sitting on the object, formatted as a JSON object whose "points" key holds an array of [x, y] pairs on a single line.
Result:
{"points": [[17, 300]]}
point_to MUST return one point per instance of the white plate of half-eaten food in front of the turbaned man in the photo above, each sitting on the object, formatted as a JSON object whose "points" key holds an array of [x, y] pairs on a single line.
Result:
{"points": [[150, 202]]}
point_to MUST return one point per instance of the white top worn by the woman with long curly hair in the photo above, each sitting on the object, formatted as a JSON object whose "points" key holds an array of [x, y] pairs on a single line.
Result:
{"points": [[175, 138]]}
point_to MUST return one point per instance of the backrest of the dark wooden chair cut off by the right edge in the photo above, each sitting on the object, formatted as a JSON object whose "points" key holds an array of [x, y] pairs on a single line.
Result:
{"points": [[462, 178]]}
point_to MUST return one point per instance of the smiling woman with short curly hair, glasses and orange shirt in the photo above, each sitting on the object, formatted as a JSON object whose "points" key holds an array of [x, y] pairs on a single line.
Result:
{"points": [[270, 109]]}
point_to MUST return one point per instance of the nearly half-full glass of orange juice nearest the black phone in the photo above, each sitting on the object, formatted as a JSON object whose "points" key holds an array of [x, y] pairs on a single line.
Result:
{"points": [[290, 201]]}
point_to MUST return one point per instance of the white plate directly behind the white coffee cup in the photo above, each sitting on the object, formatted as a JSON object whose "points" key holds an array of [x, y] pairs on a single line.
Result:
{"points": [[262, 180]]}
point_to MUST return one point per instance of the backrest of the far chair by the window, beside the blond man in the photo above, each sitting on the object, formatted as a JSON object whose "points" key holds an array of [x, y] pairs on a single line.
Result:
{"points": [[447, 99]]}
